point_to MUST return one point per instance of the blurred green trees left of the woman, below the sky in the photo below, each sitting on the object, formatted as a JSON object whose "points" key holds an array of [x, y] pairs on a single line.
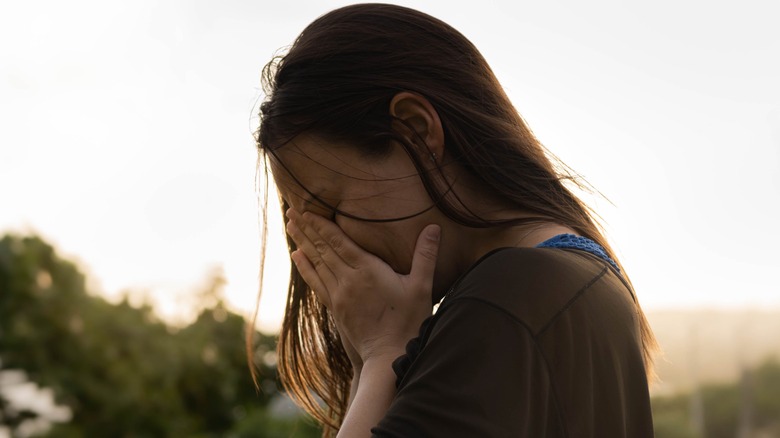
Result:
{"points": [[120, 370]]}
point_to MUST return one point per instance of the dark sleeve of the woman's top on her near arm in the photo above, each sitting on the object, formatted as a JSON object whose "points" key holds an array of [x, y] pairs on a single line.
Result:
{"points": [[480, 374]]}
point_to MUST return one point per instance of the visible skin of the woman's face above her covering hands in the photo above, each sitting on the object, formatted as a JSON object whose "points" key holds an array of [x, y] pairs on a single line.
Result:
{"points": [[365, 187]]}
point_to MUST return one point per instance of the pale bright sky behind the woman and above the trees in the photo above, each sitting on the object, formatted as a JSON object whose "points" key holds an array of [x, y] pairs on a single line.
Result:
{"points": [[125, 134]]}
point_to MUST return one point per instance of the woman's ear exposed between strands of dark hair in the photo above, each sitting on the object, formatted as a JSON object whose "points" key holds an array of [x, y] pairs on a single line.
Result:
{"points": [[422, 117]]}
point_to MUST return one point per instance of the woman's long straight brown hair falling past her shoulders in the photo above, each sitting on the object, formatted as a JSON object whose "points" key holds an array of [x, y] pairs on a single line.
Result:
{"points": [[337, 81]]}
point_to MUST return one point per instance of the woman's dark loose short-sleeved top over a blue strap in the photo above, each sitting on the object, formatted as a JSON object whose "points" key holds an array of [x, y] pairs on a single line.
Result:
{"points": [[531, 342]]}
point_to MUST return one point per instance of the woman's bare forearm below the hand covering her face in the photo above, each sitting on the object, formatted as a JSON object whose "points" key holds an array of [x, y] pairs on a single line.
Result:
{"points": [[372, 398]]}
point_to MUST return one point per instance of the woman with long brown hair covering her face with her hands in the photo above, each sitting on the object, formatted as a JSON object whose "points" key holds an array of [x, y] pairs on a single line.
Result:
{"points": [[407, 179]]}
